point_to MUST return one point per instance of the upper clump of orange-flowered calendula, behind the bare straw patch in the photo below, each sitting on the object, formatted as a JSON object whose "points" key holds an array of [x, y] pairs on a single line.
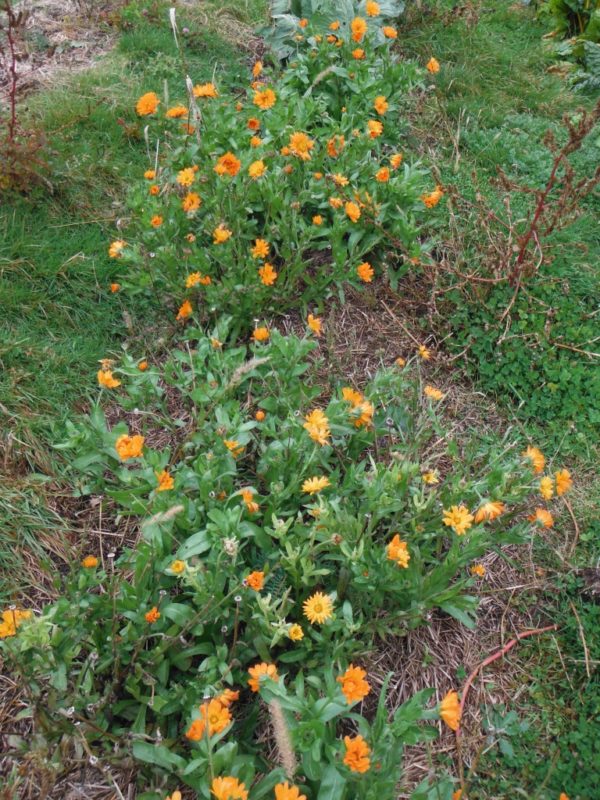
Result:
{"points": [[271, 196]]}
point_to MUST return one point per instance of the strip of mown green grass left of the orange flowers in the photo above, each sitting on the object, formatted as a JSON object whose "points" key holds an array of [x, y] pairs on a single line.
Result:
{"points": [[57, 315]]}
